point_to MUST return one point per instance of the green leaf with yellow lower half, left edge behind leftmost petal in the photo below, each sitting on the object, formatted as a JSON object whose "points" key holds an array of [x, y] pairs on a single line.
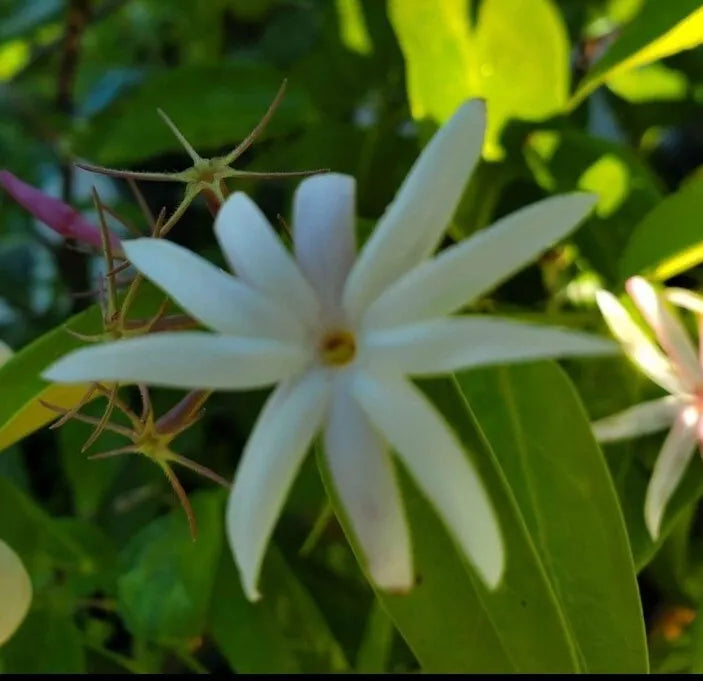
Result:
{"points": [[21, 386]]}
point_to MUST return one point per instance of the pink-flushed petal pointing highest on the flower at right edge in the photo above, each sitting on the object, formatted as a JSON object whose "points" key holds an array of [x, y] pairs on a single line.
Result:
{"points": [[671, 334]]}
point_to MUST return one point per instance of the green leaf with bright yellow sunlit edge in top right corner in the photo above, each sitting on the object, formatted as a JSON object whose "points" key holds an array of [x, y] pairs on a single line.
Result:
{"points": [[660, 29]]}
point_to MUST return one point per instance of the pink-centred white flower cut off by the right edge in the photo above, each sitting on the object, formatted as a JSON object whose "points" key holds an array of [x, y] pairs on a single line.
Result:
{"points": [[678, 369]]}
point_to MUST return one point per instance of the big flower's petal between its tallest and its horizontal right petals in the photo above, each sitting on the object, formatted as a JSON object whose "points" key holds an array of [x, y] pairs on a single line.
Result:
{"points": [[462, 273]]}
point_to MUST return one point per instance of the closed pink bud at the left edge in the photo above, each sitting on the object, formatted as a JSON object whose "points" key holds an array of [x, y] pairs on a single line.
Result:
{"points": [[56, 214]]}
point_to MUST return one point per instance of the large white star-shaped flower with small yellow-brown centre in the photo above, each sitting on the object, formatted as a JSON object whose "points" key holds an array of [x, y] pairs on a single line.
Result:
{"points": [[340, 335]]}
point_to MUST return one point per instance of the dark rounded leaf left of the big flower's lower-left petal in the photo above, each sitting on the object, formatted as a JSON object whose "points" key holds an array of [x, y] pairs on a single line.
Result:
{"points": [[164, 592]]}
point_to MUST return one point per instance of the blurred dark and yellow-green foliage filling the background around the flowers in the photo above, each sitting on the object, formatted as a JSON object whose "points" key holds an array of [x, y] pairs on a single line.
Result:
{"points": [[601, 95]]}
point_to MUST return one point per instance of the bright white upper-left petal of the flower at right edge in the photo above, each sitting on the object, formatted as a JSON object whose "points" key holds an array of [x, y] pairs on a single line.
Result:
{"points": [[636, 345]]}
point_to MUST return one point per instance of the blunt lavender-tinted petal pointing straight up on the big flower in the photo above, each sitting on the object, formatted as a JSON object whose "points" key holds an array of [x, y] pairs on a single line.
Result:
{"points": [[324, 233]]}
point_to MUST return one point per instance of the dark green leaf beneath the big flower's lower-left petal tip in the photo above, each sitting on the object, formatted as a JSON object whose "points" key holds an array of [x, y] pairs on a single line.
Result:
{"points": [[283, 633]]}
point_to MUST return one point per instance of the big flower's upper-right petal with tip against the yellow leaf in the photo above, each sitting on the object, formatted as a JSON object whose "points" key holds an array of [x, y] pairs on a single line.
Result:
{"points": [[414, 223]]}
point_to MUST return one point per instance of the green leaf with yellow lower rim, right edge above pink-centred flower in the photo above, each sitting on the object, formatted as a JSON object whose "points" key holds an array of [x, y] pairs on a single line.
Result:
{"points": [[669, 239]]}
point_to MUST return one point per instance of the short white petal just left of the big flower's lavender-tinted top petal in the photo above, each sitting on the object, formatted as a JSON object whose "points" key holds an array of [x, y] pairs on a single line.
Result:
{"points": [[256, 254]]}
